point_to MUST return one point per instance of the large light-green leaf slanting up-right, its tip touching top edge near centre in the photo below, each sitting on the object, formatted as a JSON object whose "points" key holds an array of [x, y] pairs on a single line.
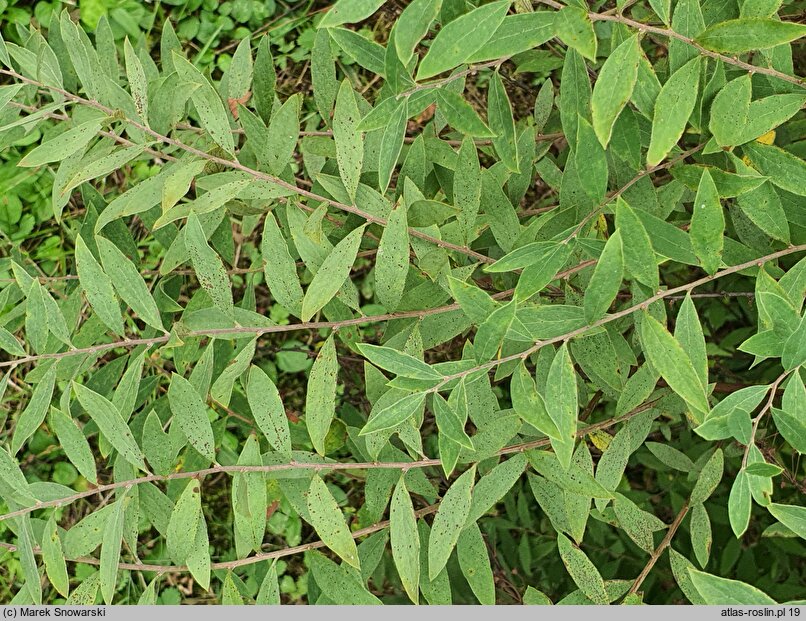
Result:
{"points": [[461, 38]]}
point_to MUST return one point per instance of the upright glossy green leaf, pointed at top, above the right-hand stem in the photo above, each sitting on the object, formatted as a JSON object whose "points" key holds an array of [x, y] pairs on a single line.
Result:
{"points": [[707, 225]]}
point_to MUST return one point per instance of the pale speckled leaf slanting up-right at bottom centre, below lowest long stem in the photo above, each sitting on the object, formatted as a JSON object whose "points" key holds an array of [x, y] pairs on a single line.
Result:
{"points": [[449, 521]]}
